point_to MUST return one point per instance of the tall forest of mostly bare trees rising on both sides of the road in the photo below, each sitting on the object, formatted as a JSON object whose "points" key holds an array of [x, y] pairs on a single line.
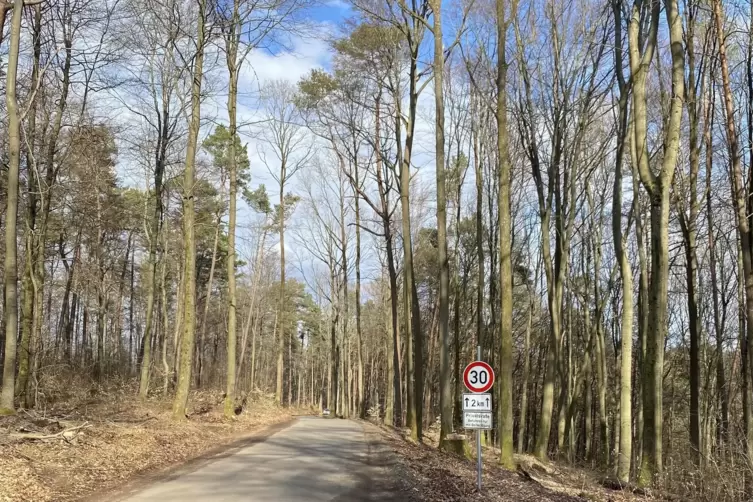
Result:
{"points": [[567, 185]]}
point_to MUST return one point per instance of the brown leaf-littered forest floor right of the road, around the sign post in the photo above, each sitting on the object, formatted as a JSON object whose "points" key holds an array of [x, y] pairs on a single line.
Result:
{"points": [[436, 476]]}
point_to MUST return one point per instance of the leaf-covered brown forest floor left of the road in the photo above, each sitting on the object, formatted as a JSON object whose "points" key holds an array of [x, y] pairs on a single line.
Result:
{"points": [[100, 439]]}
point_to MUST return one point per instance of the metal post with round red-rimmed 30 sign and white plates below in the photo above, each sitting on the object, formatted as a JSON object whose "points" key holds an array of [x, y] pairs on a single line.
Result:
{"points": [[477, 407]]}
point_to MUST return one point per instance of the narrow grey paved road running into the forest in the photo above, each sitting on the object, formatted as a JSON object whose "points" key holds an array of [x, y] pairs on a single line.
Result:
{"points": [[313, 460]]}
